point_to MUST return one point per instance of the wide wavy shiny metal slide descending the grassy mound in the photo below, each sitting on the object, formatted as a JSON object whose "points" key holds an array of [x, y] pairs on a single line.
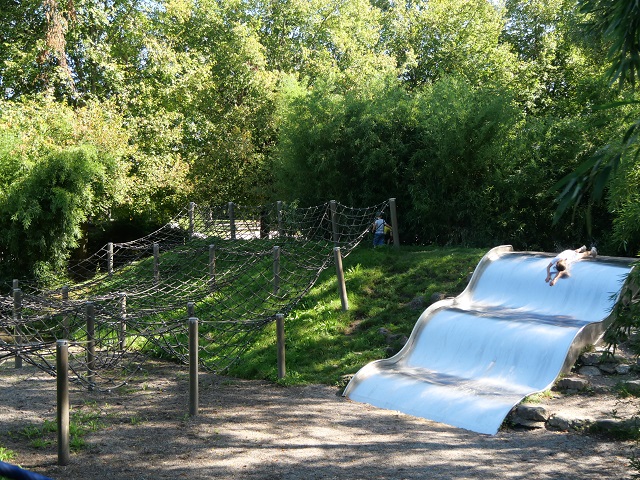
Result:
{"points": [[471, 359]]}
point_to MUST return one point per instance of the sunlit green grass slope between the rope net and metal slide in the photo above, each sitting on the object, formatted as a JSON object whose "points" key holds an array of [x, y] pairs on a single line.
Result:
{"points": [[387, 290]]}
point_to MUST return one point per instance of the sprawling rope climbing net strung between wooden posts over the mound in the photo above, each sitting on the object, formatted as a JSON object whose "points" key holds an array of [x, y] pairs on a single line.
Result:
{"points": [[233, 267]]}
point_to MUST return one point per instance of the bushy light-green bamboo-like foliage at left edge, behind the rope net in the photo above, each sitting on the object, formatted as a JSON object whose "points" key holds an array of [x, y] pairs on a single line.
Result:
{"points": [[58, 167]]}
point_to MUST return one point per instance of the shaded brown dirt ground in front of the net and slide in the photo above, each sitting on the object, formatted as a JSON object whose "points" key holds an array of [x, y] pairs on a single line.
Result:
{"points": [[257, 430]]}
